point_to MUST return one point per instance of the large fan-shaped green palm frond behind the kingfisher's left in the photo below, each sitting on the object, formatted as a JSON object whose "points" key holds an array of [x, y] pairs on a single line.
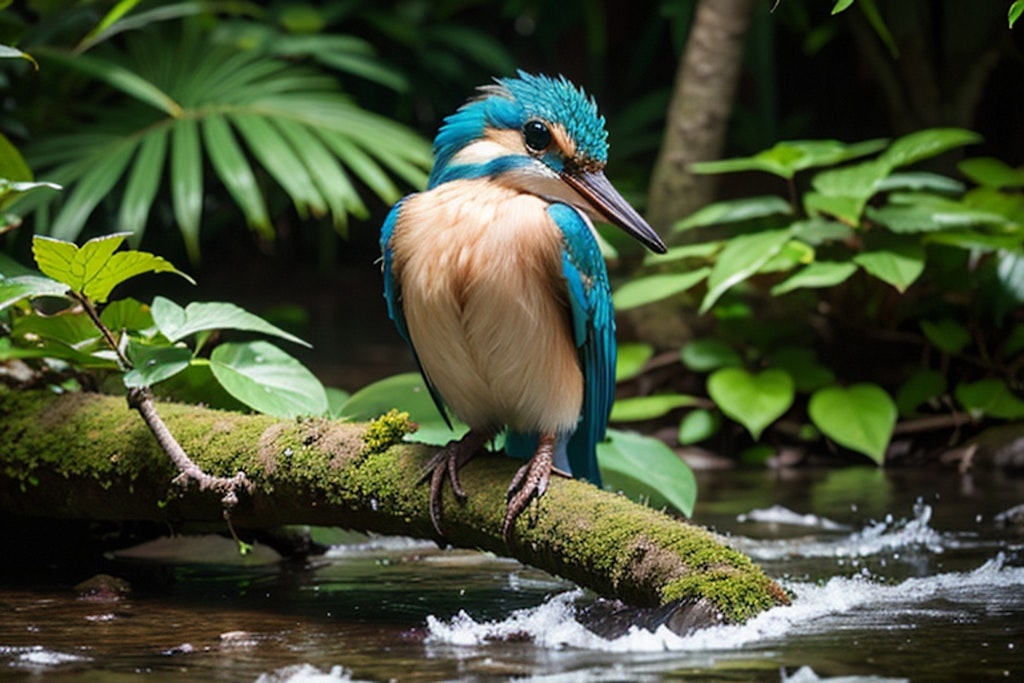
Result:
{"points": [[248, 117]]}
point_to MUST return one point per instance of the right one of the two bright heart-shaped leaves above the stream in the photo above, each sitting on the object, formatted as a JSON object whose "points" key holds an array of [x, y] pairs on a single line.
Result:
{"points": [[861, 417]]}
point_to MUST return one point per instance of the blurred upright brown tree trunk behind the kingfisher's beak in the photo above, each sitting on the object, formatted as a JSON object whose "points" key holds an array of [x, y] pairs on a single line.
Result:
{"points": [[699, 113]]}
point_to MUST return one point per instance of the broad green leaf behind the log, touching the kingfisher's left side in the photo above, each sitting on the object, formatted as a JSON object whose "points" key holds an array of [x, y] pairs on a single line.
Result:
{"points": [[406, 393]]}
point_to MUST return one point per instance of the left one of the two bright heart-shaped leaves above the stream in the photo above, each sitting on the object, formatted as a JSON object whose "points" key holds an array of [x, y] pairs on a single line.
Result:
{"points": [[753, 401]]}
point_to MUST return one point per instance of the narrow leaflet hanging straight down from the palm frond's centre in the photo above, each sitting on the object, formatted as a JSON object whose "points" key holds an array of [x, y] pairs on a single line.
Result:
{"points": [[187, 183]]}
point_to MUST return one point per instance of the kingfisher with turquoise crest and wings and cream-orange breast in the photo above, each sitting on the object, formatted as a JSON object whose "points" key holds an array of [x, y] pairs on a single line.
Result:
{"points": [[494, 277]]}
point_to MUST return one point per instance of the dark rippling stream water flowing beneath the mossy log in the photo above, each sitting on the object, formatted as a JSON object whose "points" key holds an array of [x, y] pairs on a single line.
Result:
{"points": [[899, 576]]}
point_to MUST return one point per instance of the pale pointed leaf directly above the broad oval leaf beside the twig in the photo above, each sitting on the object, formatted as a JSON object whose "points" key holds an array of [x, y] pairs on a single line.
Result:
{"points": [[177, 323]]}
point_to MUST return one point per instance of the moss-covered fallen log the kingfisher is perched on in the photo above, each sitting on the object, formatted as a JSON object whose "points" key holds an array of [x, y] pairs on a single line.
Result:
{"points": [[87, 456]]}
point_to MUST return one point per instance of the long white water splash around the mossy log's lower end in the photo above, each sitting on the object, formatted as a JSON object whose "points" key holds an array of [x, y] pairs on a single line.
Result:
{"points": [[553, 625]]}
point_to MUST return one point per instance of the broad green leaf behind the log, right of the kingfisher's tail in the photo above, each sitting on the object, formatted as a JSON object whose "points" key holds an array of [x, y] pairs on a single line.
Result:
{"points": [[647, 469]]}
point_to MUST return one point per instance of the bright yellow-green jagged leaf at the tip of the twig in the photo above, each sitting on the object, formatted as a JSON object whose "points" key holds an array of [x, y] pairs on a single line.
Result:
{"points": [[95, 270]]}
